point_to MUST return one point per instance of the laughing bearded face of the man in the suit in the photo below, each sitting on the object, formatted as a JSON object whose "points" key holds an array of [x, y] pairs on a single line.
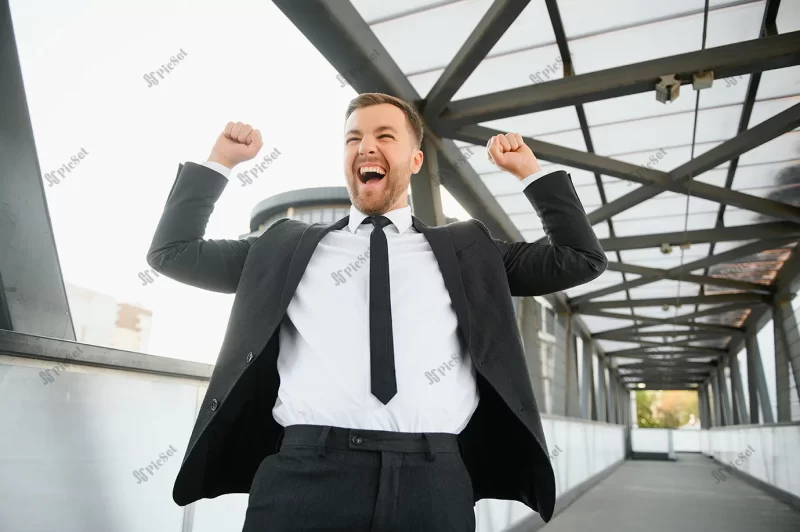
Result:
{"points": [[380, 154]]}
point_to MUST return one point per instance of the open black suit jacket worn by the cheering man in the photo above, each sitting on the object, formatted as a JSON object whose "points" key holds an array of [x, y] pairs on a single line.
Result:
{"points": [[503, 445]]}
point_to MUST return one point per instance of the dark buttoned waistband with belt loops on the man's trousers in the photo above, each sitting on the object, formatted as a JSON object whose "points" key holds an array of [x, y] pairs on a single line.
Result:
{"points": [[330, 437]]}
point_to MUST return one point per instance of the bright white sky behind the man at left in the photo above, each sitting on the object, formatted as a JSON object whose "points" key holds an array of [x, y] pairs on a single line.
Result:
{"points": [[83, 65]]}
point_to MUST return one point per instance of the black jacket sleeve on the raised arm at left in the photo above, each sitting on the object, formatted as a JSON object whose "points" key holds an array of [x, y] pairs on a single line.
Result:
{"points": [[178, 249]]}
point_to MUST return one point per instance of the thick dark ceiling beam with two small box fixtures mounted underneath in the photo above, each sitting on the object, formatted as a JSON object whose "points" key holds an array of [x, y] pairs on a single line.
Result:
{"points": [[746, 57]]}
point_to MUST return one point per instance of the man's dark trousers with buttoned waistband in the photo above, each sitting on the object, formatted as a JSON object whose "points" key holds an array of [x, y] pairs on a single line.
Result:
{"points": [[337, 479]]}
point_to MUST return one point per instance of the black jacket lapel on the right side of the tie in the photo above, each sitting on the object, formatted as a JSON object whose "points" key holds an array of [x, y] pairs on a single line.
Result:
{"points": [[442, 245]]}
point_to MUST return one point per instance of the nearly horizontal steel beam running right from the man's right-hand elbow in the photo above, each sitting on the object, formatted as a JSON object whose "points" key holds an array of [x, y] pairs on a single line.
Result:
{"points": [[703, 236]]}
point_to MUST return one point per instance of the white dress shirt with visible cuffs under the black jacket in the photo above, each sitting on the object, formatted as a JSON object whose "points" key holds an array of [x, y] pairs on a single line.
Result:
{"points": [[324, 360]]}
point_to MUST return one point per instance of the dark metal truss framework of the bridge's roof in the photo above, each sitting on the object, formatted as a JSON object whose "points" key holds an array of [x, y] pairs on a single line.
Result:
{"points": [[342, 36]]}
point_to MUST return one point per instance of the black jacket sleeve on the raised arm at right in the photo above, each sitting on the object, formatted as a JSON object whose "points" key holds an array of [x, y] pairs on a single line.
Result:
{"points": [[573, 256]]}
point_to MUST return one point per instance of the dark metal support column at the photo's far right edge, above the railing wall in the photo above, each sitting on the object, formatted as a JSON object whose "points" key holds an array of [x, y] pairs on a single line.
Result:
{"points": [[787, 356]]}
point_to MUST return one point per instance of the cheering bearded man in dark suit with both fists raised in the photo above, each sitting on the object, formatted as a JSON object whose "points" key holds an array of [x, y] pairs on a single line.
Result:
{"points": [[372, 375]]}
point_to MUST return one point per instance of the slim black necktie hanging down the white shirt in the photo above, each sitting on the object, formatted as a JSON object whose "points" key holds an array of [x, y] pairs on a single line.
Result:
{"points": [[381, 342]]}
